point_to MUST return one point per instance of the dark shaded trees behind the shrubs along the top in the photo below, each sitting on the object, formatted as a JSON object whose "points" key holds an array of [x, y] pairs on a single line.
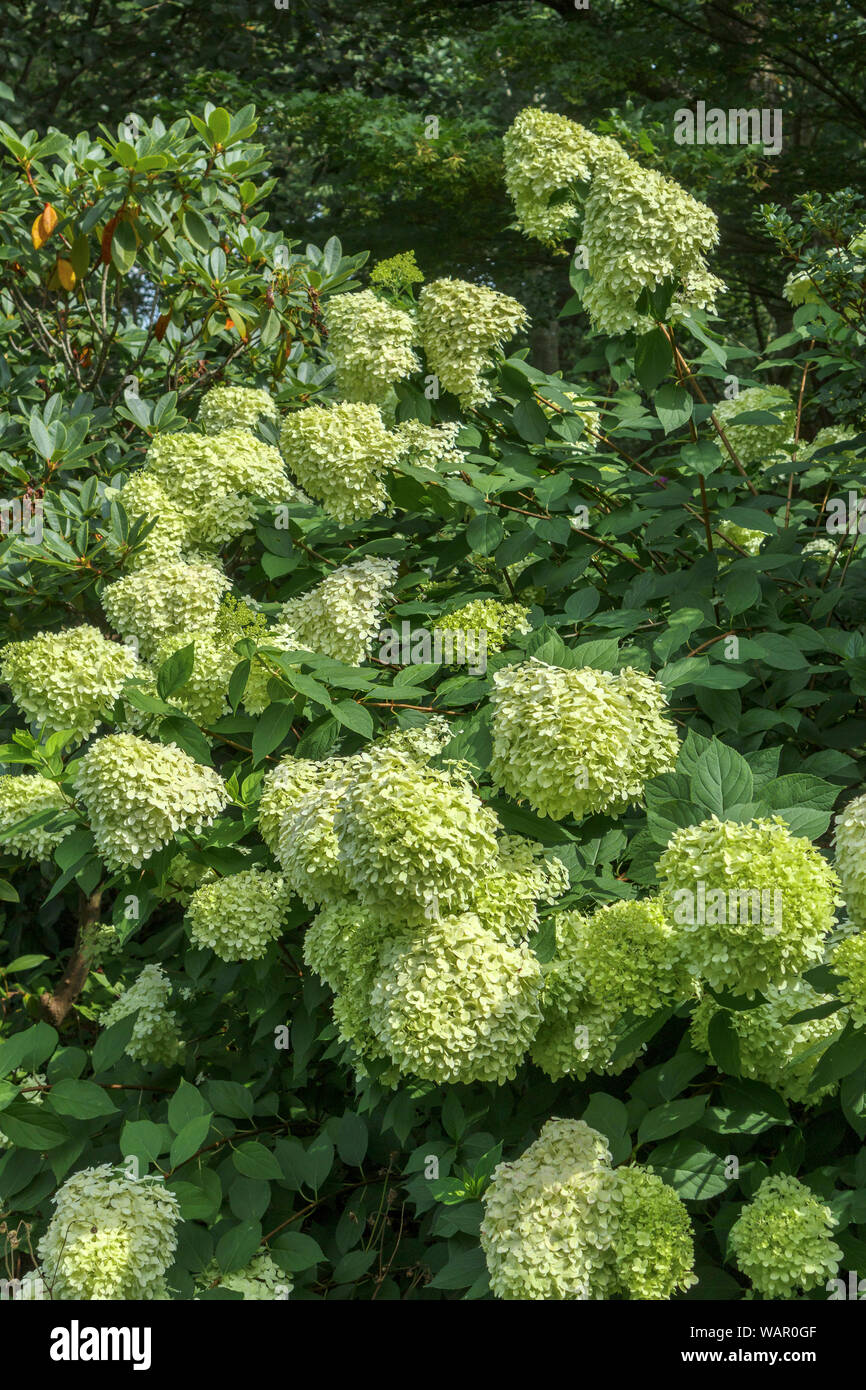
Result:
{"points": [[345, 94]]}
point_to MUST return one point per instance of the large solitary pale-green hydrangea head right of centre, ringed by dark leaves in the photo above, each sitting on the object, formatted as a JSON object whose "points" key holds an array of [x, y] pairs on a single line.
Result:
{"points": [[579, 742]]}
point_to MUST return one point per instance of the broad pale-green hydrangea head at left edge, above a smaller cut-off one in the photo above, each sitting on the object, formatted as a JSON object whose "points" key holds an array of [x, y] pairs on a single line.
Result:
{"points": [[69, 679]]}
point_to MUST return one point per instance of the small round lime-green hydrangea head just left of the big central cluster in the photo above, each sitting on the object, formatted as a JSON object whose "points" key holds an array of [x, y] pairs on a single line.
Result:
{"points": [[238, 917]]}
